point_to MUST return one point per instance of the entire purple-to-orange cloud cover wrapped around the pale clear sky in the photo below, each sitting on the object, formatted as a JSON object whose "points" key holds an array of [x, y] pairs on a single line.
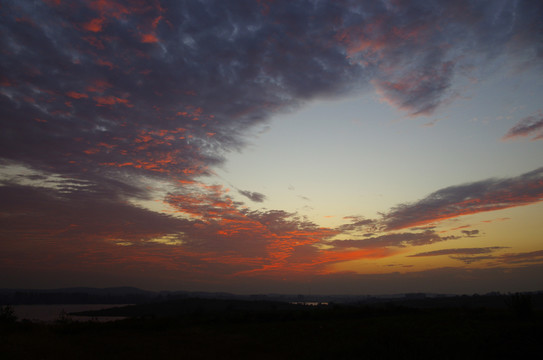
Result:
{"points": [[113, 105]]}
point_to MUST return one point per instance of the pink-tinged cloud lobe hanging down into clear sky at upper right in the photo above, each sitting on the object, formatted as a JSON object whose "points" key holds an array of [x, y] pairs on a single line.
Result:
{"points": [[417, 87]]}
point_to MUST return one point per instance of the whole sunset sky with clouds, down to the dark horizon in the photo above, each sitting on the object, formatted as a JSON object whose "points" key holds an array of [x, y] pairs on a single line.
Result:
{"points": [[266, 146]]}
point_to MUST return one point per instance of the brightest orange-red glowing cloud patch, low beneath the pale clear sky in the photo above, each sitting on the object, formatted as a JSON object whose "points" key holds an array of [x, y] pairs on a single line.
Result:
{"points": [[279, 239]]}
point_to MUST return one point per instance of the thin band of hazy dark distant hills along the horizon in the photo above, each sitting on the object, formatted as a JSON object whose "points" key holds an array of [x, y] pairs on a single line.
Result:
{"points": [[132, 295]]}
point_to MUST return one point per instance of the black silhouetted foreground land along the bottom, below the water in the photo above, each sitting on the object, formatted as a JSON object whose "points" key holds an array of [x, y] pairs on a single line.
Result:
{"points": [[235, 329]]}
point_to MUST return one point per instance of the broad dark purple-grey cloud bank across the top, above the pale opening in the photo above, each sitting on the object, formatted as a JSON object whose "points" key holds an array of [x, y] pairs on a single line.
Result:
{"points": [[220, 68]]}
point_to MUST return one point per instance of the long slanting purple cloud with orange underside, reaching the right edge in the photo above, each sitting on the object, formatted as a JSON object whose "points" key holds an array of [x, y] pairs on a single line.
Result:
{"points": [[472, 198]]}
